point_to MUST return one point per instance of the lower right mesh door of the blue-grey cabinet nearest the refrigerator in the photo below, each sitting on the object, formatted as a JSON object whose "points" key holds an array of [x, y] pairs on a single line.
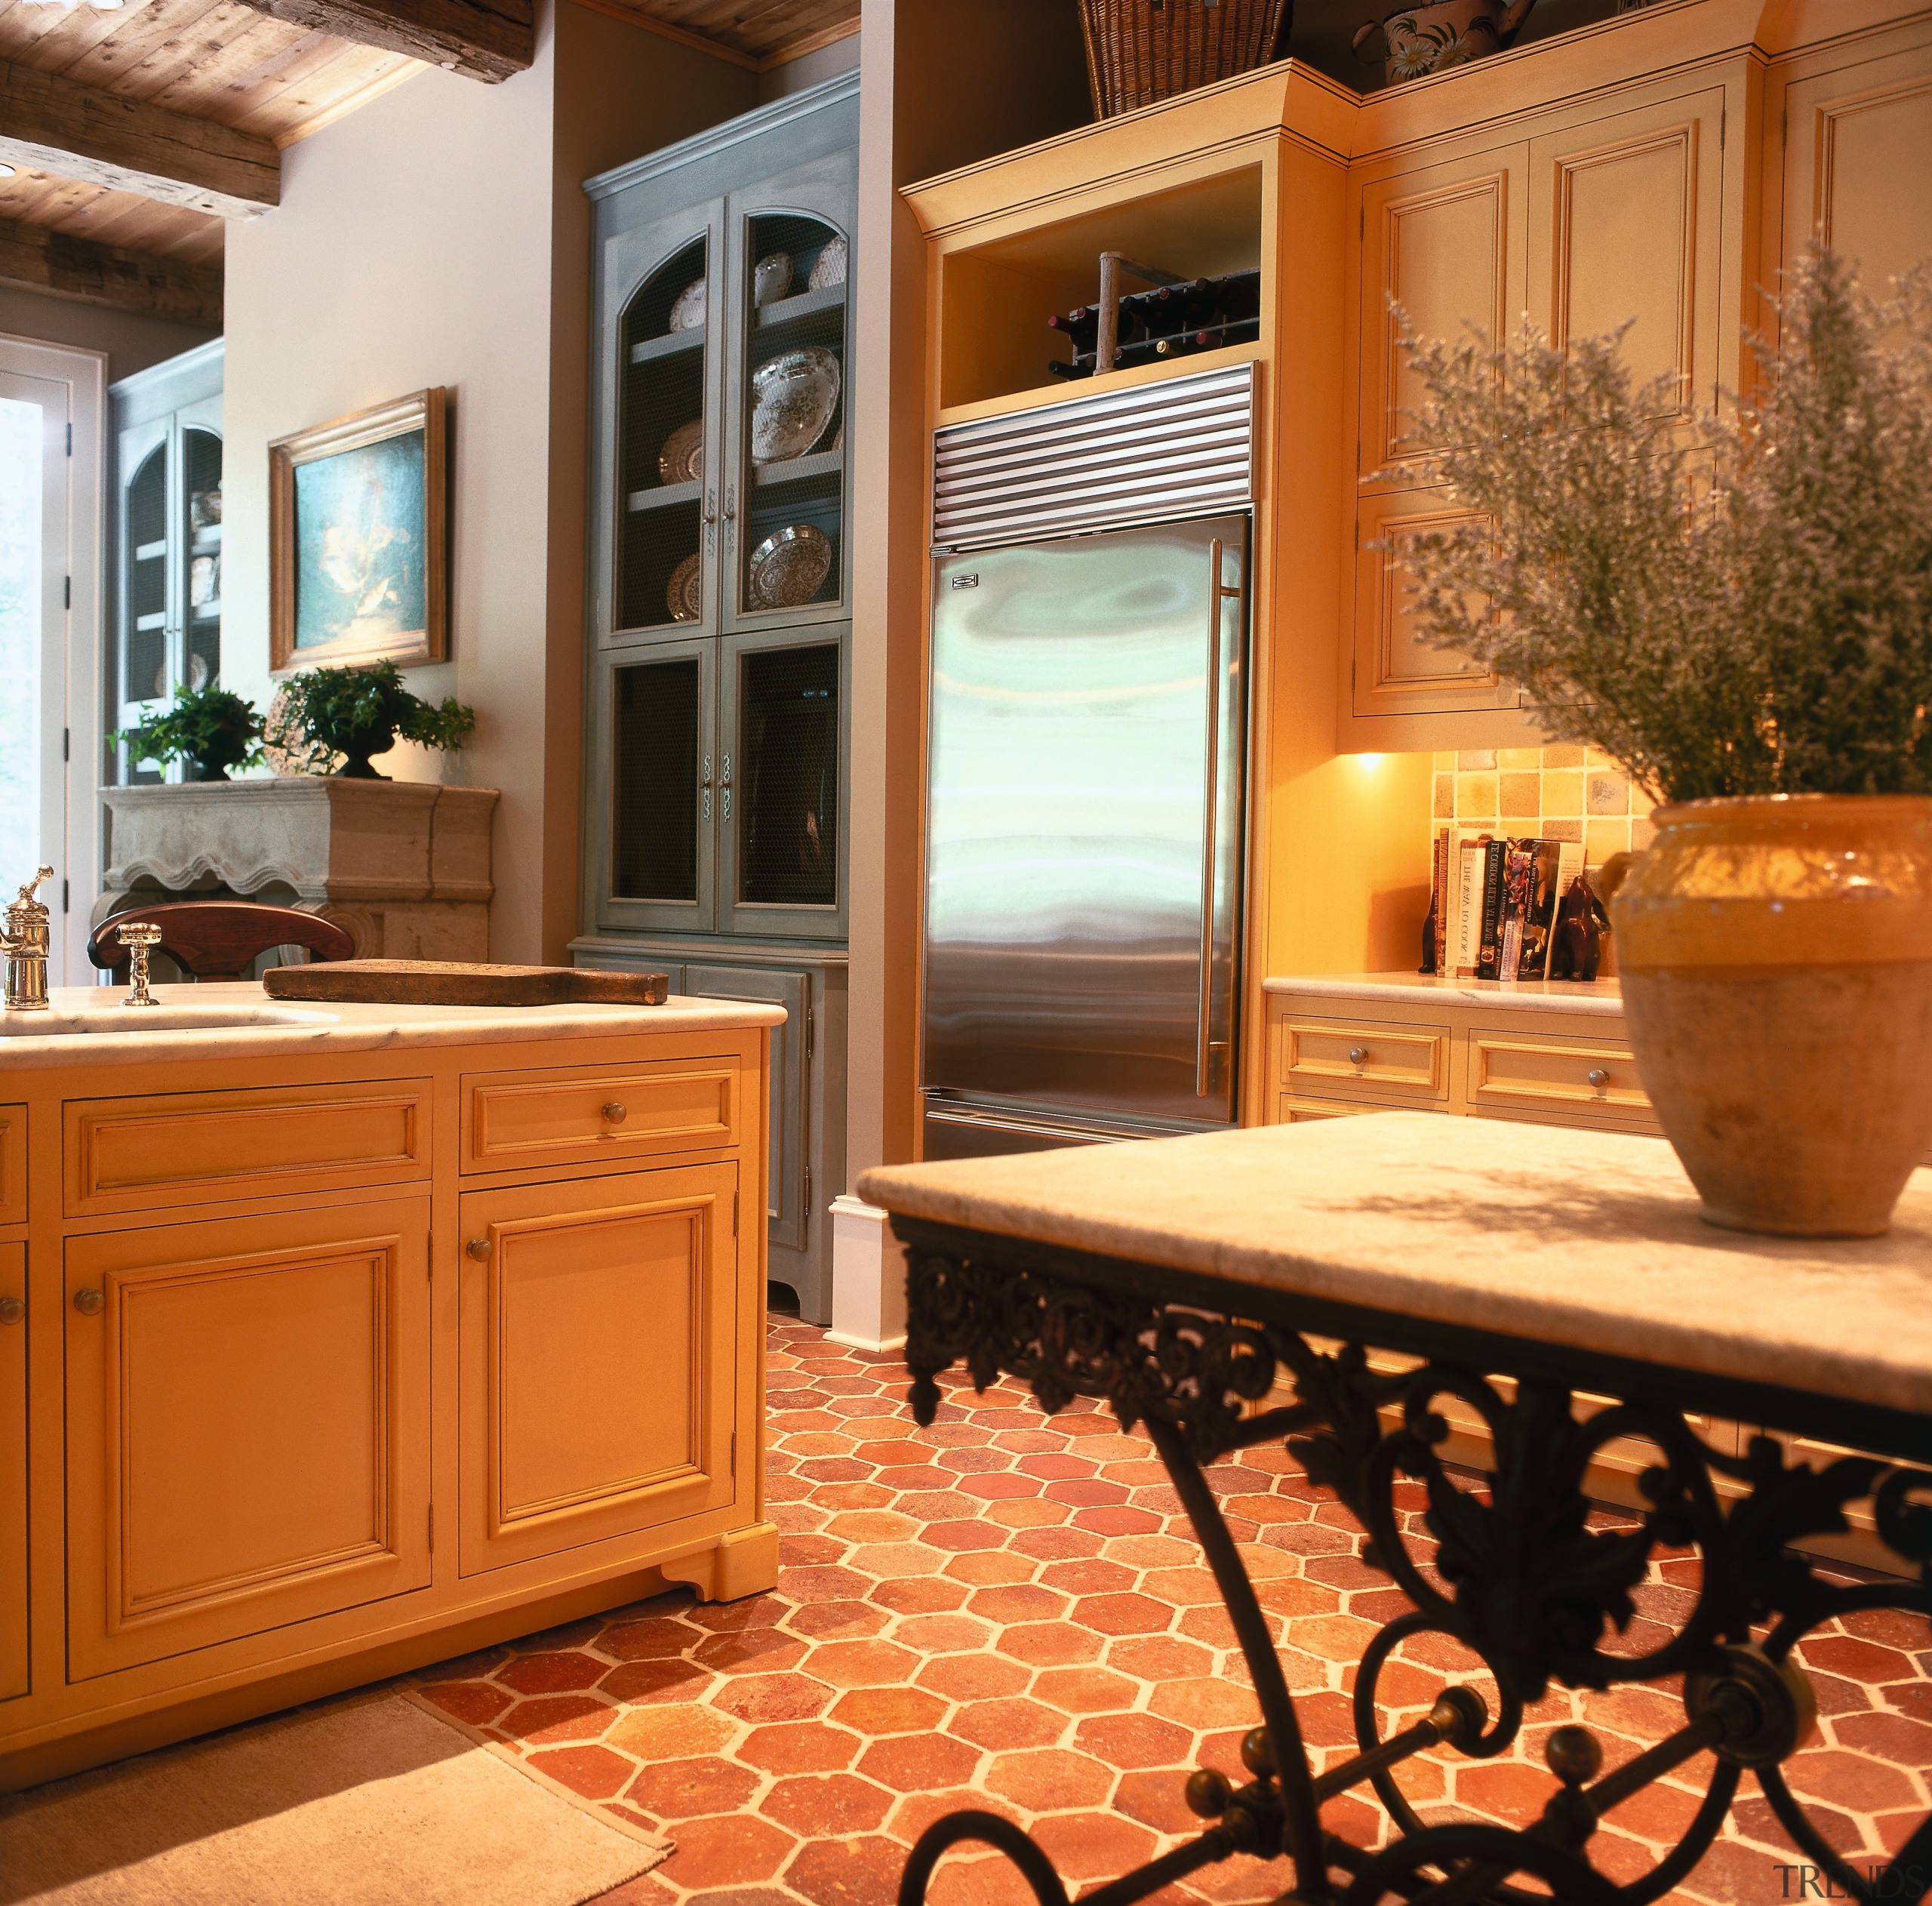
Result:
{"points": [[783, 780]]}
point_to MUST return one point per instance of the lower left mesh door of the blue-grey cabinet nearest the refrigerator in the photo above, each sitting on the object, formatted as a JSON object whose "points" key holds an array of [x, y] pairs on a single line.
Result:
{"points": [[652, 844]]}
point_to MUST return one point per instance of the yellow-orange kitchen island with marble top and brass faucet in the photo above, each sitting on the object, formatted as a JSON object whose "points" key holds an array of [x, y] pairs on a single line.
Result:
{"points": [[343, 1339]]}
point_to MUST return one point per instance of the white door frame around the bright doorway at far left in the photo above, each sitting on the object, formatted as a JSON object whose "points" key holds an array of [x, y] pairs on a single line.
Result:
{"points": [[84, 826]]}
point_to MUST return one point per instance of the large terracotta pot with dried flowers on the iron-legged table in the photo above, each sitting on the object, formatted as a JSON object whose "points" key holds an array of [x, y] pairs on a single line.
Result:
{"points": [[1740, 610]]}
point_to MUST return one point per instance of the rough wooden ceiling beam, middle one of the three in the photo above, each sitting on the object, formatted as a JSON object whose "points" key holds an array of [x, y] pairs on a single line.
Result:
{"points": [[57, 125]]}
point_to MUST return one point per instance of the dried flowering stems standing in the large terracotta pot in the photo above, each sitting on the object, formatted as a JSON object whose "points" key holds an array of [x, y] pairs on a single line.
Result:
{"points": [[1734, 604]]}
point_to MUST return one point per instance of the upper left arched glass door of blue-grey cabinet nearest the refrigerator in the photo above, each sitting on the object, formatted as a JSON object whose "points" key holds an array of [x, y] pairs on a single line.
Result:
{"points": [[662, 382]]}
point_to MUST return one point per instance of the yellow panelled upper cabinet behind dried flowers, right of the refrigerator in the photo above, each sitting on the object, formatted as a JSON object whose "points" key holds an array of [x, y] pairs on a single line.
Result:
{"points": [[1616, 210]]}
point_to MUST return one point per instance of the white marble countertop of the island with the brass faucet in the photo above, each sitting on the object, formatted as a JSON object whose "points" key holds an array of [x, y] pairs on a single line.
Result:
{"points": [[88, 1025]]}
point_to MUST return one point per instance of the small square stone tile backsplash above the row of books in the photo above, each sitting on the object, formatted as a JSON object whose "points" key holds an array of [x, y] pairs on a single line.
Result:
{"points": [[1562, 794]]}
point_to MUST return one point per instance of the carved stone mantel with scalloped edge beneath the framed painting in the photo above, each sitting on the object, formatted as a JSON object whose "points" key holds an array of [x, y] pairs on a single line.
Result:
{"points": [[405, 867]]}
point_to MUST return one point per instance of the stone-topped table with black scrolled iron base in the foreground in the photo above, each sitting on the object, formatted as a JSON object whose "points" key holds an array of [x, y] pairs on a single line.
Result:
{"points": [[1176, 1279]]}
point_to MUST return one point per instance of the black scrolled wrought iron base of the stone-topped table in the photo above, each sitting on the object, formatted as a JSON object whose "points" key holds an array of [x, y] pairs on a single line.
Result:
{"points": [[1531, 1586]]}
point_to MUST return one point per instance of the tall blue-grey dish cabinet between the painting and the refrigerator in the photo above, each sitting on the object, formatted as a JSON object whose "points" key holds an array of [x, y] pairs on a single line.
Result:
{"points": [[720, 606]]}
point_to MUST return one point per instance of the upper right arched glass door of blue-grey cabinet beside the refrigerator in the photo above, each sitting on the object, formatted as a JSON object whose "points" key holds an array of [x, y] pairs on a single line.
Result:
{"points": [[785, 480]]}
